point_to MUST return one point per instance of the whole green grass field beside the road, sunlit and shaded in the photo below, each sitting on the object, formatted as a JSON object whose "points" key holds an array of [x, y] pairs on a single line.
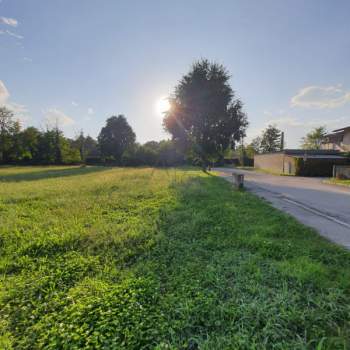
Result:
{"points": [[113, 258]]}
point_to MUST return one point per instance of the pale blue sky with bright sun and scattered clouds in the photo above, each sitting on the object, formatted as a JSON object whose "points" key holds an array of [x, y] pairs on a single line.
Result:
{"points": [[80, 62]]}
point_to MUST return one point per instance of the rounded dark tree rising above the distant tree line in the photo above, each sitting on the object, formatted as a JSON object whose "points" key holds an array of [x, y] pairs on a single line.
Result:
{"points": [[115, 138]]}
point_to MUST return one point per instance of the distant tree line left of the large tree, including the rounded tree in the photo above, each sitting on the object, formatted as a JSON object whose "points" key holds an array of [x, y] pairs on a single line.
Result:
{"points": [[116, 144]]}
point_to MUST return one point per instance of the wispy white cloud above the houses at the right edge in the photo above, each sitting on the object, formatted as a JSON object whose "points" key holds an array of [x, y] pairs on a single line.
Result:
{"points": [[321, 97]]}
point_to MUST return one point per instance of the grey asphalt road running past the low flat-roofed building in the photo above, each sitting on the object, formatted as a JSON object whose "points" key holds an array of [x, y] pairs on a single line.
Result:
{"points": [[322, 206]]}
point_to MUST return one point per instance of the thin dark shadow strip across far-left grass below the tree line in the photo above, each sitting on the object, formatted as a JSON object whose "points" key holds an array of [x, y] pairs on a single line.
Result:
{"points": [[51, 173]]}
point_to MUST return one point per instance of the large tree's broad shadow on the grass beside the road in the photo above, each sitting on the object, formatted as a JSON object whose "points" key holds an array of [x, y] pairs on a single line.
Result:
{"points": [[232, 270]]}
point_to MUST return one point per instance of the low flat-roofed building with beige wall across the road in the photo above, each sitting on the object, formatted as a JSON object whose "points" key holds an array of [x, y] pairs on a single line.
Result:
{"points": [[300, 162]]}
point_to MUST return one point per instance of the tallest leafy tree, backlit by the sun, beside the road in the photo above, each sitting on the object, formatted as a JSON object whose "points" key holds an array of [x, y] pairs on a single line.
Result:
{"points": [[205, 118]]}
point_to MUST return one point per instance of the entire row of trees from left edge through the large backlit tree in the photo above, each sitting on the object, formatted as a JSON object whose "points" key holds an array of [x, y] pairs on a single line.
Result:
{"points": [[205, 120]]}
